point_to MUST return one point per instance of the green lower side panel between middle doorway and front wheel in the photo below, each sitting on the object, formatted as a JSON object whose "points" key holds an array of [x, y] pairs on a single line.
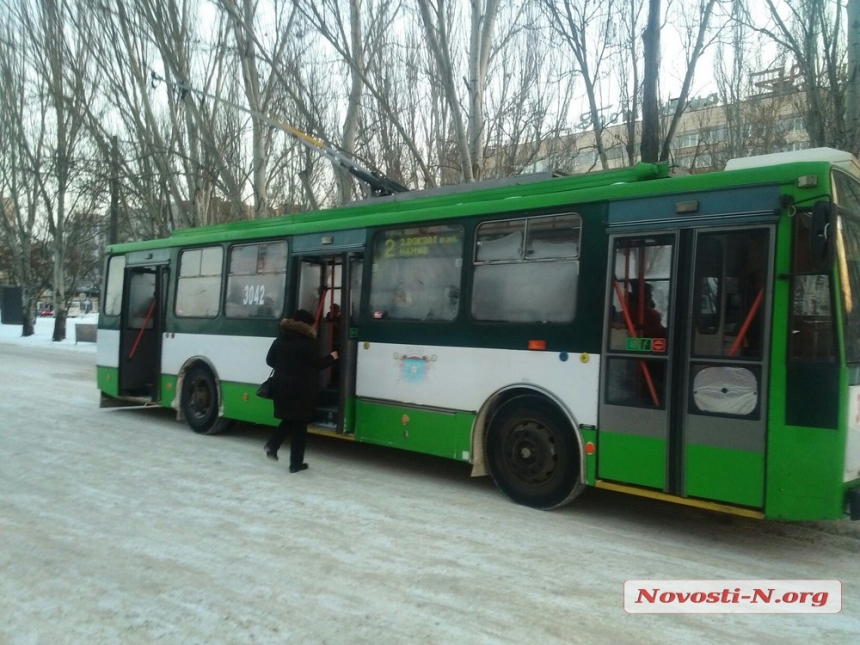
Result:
{"points": [[444, 434]]}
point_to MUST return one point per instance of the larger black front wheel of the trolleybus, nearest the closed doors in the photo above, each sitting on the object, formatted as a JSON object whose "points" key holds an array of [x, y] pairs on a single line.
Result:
{"points": [[533, 454]]}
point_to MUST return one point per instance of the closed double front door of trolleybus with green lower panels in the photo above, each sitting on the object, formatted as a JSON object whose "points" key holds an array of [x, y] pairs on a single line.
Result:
{"points": [[684, 385]]}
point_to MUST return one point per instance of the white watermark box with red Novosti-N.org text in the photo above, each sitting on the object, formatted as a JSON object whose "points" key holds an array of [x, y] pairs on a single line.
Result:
{"points": [[732, 596]]}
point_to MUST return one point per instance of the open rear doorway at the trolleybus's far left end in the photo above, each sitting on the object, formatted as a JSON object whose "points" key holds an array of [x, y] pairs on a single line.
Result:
{"points": [[141, 331]]}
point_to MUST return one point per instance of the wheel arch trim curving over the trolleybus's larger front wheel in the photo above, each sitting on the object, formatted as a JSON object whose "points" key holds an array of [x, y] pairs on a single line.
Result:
{"points": [[503, 396]]}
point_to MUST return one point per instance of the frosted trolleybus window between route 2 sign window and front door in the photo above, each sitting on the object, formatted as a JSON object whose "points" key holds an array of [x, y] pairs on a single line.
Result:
{"points": [[526, 270]]}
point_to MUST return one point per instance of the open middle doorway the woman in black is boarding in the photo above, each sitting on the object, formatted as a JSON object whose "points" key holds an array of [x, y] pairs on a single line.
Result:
{"points": [[328, 284]]}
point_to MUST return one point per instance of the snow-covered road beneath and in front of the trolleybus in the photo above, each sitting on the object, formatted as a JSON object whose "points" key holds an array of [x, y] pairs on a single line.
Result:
{"points": [[125, 527]]}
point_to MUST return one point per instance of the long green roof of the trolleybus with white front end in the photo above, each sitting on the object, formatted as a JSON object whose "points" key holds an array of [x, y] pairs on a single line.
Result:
{"points": [[513, 194]]}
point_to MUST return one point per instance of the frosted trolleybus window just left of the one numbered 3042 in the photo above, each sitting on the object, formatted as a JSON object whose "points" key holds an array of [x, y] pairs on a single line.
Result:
{"points": [[198, 288]]}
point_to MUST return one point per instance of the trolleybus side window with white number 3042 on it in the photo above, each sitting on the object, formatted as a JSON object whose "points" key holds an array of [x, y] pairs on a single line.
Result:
{"points": [[256, 279]]}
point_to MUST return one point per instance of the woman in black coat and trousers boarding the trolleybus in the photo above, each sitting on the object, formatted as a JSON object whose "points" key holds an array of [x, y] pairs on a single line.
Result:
{"points": [[295, 384]]}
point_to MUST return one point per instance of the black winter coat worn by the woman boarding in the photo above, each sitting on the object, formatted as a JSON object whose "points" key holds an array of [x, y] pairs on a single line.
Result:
{"points": [[295, 383]]}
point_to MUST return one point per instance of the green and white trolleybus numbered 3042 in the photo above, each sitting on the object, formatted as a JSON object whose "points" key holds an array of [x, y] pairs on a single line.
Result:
{"points": [[693, 339]]}
